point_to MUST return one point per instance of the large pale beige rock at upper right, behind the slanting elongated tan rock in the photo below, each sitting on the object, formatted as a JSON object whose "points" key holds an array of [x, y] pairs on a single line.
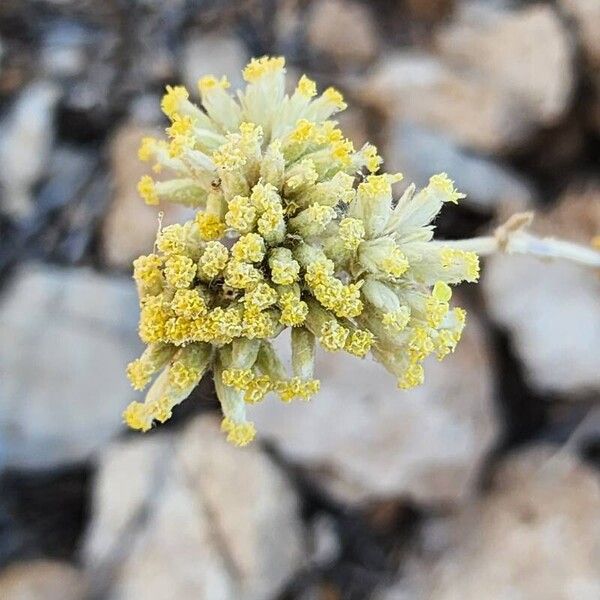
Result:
{"points": [[526, 52]]}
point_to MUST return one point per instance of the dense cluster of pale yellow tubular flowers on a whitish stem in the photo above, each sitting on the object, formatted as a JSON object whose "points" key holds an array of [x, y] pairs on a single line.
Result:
{"points": [[295, 229]]}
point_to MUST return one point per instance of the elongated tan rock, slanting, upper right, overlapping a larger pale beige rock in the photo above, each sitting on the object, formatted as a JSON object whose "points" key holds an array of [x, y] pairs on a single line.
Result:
{"points": [[420, 88]]}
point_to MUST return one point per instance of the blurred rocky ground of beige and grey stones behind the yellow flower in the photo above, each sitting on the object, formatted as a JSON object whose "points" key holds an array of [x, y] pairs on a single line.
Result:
{"points": [[481, 484]]}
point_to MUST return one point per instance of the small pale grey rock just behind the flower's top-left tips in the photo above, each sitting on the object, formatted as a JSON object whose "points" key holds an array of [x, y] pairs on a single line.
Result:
{"points": [[205, 54]]}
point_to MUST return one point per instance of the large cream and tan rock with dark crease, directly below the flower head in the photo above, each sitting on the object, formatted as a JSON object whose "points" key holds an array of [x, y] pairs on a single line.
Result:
{"points": [[203, 520]]}
